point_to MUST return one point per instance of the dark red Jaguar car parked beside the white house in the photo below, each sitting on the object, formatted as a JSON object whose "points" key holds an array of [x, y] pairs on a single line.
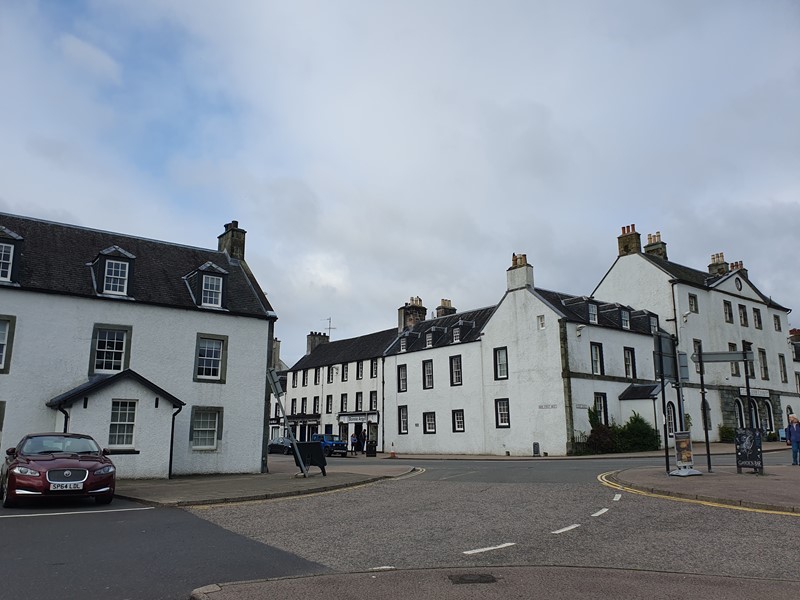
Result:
{"points": [[56, 465]]}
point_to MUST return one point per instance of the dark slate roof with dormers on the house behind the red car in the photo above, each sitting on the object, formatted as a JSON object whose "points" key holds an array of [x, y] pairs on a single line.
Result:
{"points": [[53, 258]]}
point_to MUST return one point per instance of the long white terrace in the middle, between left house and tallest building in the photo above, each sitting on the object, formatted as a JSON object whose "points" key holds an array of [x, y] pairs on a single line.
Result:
{"points": [[495, 380]]}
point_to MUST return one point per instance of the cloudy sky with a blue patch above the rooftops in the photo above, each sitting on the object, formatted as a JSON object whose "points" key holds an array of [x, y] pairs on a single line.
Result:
{"points": [[379, 150]]}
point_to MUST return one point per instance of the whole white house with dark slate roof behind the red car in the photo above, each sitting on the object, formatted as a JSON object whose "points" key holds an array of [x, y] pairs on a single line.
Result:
{"points": [[157, 350]]}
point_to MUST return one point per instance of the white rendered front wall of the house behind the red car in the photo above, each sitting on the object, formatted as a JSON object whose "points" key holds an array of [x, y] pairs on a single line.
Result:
{"points": [[51, 355]]}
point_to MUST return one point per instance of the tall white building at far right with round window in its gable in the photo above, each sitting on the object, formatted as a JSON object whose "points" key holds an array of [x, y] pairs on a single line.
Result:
{"points": [[722, 310]]}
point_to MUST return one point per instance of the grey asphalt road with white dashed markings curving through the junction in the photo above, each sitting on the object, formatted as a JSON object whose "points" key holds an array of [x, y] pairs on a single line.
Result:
{"points": [[454, 514]]}
